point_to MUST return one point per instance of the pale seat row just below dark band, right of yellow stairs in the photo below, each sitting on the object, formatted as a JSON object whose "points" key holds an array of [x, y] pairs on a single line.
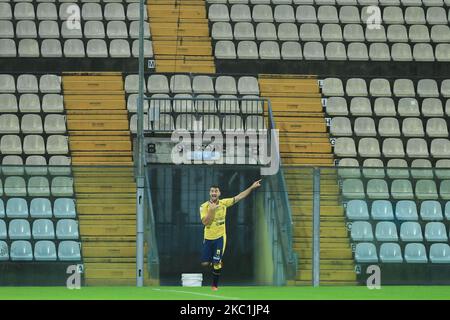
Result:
{"points": [[427, 88]]}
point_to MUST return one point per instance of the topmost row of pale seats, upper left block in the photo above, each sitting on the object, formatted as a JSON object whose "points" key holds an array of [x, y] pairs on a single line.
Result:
{"points": [[88, 11]]}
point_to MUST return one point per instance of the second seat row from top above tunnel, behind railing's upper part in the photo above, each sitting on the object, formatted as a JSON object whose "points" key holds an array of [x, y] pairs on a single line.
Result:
{"points": [[202, 103]]}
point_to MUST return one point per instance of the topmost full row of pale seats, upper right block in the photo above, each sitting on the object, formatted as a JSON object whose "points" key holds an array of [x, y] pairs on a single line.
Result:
{"points": [[324, 14]]}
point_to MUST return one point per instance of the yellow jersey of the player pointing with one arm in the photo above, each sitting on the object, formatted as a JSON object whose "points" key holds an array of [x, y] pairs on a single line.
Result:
{"points": [[217, 228]]}
